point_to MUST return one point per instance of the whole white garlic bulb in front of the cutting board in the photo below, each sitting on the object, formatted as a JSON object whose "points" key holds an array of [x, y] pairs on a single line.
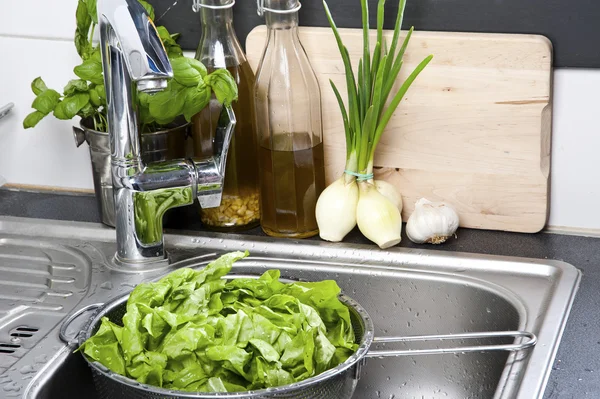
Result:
{"points": [[431, 222]]}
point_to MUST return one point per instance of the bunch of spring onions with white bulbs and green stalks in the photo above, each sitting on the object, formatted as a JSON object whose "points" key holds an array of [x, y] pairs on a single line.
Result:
{"points": [[356, 198]]}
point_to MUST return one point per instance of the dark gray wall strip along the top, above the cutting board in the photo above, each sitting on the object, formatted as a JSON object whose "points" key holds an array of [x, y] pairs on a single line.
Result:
{"points": [[573, 26]]}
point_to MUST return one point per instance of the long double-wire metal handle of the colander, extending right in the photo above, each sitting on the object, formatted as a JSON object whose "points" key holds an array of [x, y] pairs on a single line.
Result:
{"points": [[531, 341]]}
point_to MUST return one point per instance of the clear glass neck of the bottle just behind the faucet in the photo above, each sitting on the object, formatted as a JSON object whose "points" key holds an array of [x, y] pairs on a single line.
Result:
{"points": [[219, 46]]}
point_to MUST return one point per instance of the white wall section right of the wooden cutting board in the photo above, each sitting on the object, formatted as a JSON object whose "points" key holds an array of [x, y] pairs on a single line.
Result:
{"points": [[575, 194]]}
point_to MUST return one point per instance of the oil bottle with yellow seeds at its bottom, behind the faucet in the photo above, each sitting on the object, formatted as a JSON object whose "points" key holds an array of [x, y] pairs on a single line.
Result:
{"points": [[219, 48]]}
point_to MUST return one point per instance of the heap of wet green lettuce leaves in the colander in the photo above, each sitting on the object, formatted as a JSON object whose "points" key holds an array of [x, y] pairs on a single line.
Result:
{"points": [[194, 330]]}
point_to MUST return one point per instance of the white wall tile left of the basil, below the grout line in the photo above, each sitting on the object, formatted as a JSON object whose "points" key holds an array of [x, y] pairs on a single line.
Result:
{"points": [[47, 154]]}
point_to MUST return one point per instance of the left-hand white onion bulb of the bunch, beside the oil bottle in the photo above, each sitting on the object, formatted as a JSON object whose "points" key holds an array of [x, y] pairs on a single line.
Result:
{"points": [[336, 210]]}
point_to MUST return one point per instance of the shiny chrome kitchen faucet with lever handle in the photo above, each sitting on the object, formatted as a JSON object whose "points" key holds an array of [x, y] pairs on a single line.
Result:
{"points": [[133, 57]]}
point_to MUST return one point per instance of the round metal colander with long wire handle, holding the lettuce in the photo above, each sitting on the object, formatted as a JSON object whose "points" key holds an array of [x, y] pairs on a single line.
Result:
{"points": [[337, 383]]}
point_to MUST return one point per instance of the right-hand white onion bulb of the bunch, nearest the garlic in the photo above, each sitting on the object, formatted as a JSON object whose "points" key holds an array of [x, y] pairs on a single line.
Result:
{"points": [[377, 217]]}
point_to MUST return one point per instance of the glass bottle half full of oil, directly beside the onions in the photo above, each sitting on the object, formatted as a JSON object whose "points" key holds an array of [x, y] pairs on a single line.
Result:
{"points": [[288, 119]]}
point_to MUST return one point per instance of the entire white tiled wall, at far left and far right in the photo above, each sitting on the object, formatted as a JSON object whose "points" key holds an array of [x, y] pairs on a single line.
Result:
{"points": [[47, 155]]}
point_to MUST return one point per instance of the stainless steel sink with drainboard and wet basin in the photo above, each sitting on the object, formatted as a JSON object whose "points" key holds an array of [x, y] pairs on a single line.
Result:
{"points": [[49, 269]]}
